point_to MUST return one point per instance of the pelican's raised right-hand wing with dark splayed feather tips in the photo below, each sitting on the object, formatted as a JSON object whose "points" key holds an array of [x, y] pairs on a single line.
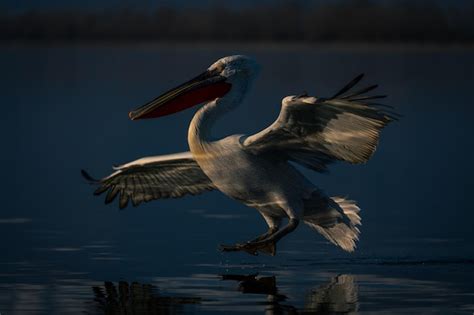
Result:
{"points": [[317, 131]]}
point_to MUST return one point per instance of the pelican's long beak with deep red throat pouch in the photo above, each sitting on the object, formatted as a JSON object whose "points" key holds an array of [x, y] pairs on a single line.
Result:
{"points": [[205, 87]]}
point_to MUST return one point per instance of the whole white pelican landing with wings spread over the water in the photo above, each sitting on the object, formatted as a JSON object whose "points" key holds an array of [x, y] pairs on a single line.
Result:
{"points": [[258, 169]]}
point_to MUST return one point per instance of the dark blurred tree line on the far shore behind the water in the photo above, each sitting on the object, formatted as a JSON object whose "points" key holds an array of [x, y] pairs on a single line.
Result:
{"points": [[357, 20]]}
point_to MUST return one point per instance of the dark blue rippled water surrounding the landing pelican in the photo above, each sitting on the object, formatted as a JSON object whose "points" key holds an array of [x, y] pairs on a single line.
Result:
{"points": [[64, 107]]}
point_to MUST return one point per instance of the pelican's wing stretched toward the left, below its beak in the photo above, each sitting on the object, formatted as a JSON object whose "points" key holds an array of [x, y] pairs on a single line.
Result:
{"points": [[151, 178]]}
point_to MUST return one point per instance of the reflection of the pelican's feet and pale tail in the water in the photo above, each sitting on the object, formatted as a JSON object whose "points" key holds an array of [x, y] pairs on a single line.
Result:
{"points": [[339, 295]]}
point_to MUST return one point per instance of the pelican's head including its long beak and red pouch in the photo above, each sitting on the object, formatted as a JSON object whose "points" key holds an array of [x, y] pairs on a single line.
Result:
{"points": [[232, 73]]}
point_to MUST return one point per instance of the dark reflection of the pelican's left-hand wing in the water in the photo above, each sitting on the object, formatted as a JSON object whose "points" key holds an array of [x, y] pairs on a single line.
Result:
{"points": [[136, 298]]}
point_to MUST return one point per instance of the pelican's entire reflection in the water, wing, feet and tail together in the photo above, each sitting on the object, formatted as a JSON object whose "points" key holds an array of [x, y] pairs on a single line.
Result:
{"points": [[339, 295]]}
